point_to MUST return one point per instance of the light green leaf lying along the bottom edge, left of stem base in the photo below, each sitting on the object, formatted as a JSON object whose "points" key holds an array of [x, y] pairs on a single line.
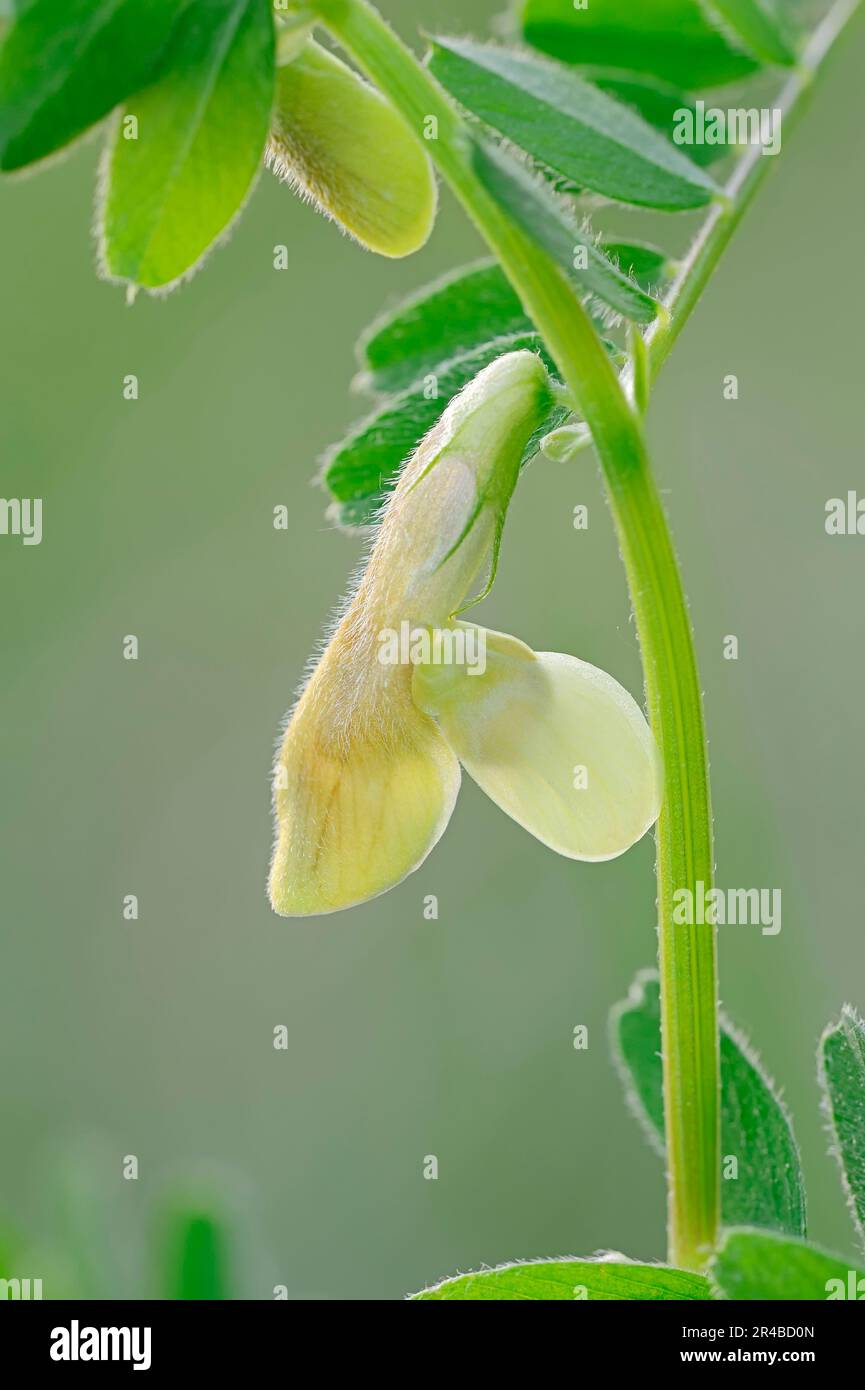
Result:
{"points": [[574, 1281]]}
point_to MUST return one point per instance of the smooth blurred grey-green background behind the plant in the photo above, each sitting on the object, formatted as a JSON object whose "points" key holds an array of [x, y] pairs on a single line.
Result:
{"points": [[407, 1038]]}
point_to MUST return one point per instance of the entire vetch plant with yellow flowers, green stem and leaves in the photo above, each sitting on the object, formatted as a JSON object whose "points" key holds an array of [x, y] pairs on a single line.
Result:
{"points": [[550, 347]]}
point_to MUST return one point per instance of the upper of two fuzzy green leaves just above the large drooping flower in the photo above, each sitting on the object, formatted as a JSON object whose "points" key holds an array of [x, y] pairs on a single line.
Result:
{"points": [[443, 320]]}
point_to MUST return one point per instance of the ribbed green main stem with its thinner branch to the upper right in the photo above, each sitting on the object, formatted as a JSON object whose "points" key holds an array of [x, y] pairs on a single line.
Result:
{"points": [[688, 956]]}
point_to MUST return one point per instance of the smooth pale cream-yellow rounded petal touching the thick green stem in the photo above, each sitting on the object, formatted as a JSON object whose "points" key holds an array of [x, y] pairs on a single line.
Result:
{"points": [[556, 743]]}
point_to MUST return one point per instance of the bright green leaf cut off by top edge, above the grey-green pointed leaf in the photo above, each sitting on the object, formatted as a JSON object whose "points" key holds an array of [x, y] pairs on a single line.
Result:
{"points": [[672, 40]]}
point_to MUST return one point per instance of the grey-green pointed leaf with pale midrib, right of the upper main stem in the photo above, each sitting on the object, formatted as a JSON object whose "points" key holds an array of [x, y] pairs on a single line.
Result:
{"points": [[569, 126]]}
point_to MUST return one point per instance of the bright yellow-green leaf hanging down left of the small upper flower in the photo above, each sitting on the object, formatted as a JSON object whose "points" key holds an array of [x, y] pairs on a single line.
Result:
{"points": [[202, 130]]}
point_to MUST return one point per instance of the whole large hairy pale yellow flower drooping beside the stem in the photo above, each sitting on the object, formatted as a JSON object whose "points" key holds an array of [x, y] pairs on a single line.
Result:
{"points": [[371, 762]]}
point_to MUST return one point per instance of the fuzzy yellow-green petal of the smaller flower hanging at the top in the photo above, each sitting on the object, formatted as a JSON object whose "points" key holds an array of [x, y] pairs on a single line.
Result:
{"points": [[341, 142]]}
